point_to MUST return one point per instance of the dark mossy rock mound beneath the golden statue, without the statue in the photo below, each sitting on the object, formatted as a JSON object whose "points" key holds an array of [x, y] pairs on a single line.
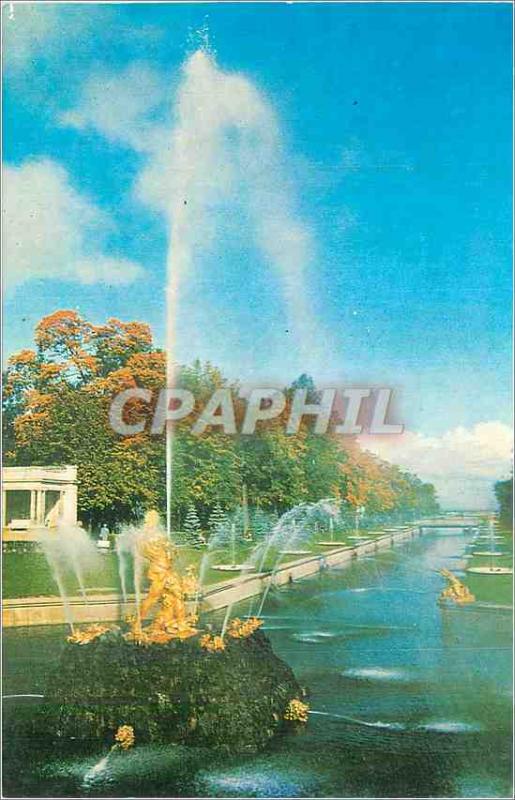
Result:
{"points": [[234, 699]]}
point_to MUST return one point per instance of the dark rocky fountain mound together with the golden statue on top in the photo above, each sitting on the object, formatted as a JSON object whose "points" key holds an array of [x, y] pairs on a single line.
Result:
{"points": [[164, 681]]}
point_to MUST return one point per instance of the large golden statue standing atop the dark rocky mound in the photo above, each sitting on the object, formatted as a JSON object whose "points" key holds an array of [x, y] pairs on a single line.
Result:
{"points": [[169, 590]]}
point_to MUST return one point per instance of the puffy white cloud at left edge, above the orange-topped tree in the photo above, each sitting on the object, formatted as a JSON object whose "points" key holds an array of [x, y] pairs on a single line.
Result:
{"points": [[52, 231]]}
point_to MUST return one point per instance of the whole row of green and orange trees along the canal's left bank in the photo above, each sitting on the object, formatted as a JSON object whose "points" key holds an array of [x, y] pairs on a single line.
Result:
{"points": [[56, 403]]}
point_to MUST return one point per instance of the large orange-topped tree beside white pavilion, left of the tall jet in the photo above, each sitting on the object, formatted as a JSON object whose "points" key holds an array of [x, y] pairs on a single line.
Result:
{"points": [[56, 400]]}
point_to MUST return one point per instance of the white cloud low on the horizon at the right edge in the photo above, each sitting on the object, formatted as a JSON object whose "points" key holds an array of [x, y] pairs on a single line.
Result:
{"points": [[463, 463]]}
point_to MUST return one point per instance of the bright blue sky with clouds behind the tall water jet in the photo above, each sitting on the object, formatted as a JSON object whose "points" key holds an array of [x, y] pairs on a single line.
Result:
{"points": [[394, 142]]}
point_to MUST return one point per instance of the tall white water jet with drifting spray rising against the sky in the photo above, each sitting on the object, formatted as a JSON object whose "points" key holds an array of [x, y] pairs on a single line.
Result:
{"points": [[227, 156]]}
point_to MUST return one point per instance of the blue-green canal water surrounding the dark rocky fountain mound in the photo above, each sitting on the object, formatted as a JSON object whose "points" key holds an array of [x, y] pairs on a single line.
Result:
{"points": [[408, 699]]}
